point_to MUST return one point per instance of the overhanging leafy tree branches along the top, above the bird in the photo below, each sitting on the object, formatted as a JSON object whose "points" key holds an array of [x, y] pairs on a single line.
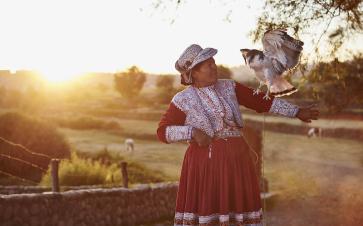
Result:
{"points": [[336, 20]]}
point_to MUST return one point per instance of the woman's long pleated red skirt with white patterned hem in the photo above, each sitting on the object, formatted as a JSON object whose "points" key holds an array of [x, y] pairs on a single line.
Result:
{"points": [[220, 190]]}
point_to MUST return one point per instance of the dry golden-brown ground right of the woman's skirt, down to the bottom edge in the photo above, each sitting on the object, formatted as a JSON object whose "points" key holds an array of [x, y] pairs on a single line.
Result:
{"points": [[318, 180]]}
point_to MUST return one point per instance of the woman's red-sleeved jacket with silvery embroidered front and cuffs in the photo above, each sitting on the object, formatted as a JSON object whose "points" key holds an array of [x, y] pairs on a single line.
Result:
{"points": [[204, 108]]}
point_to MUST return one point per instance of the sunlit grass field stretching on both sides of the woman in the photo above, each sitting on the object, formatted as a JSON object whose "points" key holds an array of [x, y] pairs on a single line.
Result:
{"points": [[315, 179]]}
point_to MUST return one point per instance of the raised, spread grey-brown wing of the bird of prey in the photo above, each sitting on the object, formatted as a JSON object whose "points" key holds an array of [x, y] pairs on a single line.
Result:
{"points": [[278, 45]]}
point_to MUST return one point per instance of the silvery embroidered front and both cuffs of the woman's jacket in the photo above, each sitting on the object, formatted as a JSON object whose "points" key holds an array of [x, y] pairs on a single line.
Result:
{"points": [[206, 116]]}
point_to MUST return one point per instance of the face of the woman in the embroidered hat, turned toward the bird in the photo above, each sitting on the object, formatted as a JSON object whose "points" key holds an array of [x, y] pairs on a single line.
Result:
{"points": [[205, 73]]}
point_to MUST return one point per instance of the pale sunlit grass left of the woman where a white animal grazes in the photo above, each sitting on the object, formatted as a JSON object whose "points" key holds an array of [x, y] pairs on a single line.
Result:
{"points": [[154, 154]]}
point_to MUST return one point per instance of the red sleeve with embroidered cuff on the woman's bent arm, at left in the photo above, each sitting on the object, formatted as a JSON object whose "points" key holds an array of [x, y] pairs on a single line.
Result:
{"points": [[171, 126]]}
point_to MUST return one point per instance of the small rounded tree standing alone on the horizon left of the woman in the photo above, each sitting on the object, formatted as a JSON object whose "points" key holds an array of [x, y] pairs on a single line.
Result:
{"points": [[130, 83]]}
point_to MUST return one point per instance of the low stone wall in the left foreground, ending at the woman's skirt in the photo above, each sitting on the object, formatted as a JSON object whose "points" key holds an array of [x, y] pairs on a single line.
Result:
{"points": [[99, 207]]}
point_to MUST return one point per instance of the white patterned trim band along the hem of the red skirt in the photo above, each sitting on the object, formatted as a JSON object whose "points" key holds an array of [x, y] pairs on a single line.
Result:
{"points": [[192, 219]]}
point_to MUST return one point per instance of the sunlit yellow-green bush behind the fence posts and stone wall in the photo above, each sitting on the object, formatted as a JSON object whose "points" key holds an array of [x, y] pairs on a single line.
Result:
{"points": [[92, 171]]}
